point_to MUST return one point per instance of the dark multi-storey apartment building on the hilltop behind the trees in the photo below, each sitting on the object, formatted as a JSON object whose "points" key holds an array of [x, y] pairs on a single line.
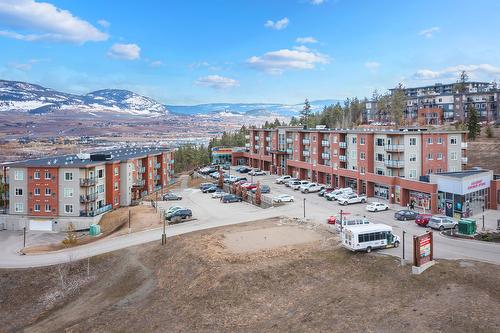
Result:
{"points": [[484, 96]]}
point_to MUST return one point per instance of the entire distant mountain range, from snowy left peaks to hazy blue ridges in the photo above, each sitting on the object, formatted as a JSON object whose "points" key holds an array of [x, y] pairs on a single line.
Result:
{"points": [[36, 99]]}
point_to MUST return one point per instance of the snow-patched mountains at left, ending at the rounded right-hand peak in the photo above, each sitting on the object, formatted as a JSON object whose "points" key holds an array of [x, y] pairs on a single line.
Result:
{"points": [[22, 96]]}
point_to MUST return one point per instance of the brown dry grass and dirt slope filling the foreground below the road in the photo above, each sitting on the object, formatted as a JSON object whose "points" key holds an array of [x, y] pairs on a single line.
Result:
{"points": [[205, 281]]}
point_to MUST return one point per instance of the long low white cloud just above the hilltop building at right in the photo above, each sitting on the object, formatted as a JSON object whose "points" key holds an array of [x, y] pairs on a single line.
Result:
{"points": [[484, 70]]}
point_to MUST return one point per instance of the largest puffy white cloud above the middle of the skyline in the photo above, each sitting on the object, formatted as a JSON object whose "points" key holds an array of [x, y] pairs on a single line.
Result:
{"points": [[276, 62]]}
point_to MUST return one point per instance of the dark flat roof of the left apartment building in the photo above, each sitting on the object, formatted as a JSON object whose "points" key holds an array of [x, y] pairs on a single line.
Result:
{"points": [[84, 160]]}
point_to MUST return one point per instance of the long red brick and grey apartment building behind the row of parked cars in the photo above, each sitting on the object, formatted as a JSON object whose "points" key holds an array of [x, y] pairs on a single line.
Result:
{"points": [[387, 164]]}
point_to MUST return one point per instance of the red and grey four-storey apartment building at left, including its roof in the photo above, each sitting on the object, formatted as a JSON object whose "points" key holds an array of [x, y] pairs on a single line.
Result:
{"points": [[48, 193]]}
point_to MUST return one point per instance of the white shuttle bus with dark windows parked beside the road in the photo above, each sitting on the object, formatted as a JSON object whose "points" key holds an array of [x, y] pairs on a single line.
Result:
{"points": [[366, 237]]}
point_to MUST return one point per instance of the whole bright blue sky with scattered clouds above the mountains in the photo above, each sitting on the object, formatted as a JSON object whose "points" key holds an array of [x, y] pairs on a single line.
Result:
{"points": [[242, 51]]}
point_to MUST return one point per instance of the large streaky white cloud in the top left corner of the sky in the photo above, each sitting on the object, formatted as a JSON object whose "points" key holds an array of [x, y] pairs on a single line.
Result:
{"points": [[36, 21]]}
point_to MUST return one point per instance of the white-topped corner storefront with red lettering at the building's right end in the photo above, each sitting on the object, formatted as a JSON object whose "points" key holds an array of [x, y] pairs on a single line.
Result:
{"points": [[463, 194]]}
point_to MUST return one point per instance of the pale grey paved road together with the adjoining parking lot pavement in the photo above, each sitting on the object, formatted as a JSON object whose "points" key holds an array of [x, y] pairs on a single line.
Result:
{"points": [[212, 213]]}
